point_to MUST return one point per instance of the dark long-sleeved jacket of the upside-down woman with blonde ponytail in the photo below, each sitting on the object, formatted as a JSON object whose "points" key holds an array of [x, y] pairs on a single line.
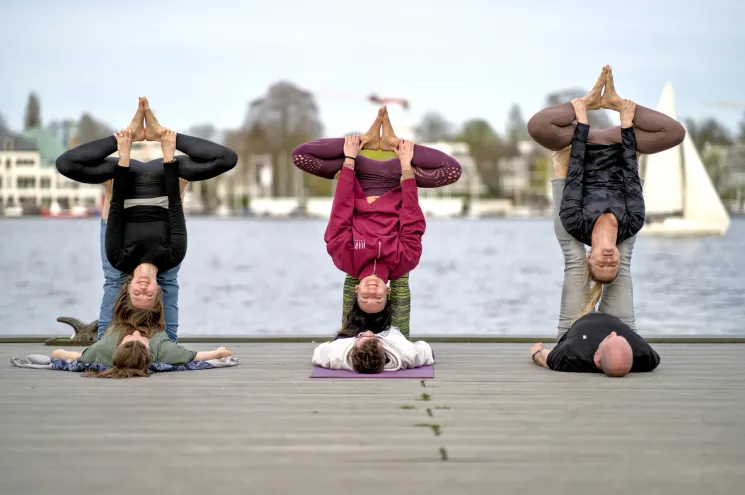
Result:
{"points": [[600, 179]]}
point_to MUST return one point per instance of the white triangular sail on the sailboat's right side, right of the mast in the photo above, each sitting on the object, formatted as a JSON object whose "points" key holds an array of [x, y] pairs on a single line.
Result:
{"points": [[702, 202]]}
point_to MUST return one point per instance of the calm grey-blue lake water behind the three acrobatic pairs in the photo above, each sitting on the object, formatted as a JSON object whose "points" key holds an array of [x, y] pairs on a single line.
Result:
{"points": [[260, 277]]}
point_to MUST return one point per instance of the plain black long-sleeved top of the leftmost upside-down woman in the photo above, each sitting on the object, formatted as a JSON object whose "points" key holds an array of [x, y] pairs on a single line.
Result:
{"points": [[145, 234]]}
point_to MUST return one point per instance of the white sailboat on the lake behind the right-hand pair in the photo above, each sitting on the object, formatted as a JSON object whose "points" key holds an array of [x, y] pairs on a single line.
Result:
{"points": [[679, 196]]}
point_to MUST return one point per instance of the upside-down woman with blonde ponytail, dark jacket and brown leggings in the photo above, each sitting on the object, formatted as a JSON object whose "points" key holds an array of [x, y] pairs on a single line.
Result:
{"points": [[602, 203]]}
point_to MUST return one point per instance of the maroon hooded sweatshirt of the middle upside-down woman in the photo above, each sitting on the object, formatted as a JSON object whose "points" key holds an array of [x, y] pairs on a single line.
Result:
{"points": [[383, 237]]}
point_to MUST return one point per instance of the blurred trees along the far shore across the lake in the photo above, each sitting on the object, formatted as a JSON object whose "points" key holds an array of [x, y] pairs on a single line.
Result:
{"points": [[286, 116]]}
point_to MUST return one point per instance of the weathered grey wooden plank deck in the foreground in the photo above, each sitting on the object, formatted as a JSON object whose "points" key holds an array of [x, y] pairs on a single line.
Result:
{"points": [[505, 427]]}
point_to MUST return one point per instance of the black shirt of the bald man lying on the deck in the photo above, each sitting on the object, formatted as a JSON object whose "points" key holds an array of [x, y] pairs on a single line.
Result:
{"points": [[575, 350]]}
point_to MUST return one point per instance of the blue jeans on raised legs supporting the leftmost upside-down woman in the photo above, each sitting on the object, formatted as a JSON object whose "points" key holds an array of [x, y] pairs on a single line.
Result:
{"points": [[112, 286]]}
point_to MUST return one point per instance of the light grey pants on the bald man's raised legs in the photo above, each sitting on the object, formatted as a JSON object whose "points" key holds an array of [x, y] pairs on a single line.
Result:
{"points": [[617, 298]]}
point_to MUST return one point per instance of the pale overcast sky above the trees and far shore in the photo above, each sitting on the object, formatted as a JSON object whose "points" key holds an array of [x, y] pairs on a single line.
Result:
{"points": [[203, 61]]}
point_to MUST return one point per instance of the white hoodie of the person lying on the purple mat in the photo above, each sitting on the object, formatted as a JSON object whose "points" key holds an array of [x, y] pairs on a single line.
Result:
{"points": [[400, 352]]}
